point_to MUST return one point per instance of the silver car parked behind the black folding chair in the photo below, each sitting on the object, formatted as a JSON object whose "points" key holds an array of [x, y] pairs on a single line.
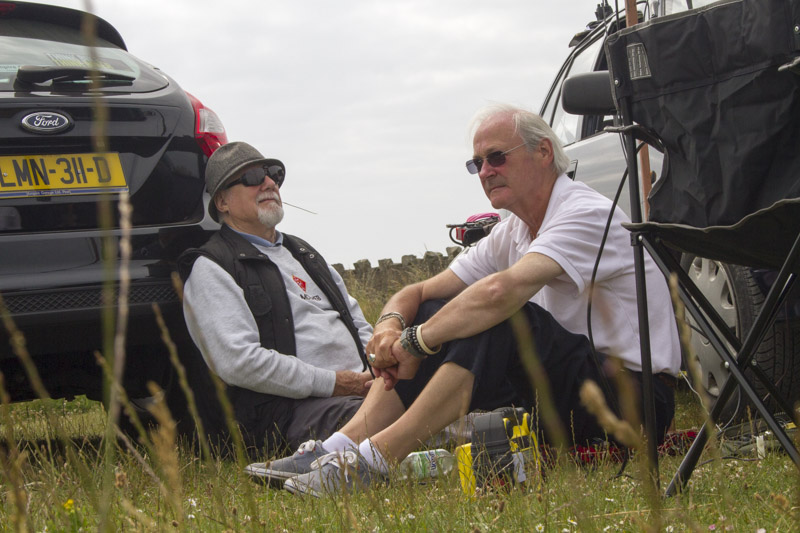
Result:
{"points": [[736, 292]]}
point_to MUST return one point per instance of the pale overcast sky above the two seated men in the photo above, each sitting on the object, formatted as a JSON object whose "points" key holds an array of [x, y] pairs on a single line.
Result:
{"points": [[367, 103]]}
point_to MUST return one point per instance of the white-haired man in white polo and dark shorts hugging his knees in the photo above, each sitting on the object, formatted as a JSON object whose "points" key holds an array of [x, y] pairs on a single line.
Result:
{"points": [[445, 345]]}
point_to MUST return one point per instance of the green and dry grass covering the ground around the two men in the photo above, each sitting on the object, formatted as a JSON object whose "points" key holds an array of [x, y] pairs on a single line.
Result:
{"points": [[60, 472]]}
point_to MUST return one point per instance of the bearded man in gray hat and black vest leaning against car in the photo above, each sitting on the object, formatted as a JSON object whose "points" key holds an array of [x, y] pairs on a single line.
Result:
{"points": [[271, 318]]}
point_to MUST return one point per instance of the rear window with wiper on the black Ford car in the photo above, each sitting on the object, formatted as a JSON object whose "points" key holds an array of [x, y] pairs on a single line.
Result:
{"points": [[49, 46]]}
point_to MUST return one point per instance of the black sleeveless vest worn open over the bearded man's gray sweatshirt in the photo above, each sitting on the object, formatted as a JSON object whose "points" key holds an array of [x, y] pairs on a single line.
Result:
{"points": [[263, 418]]}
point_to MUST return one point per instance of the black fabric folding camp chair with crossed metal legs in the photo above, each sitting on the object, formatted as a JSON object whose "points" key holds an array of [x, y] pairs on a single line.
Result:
{"points": [[719, 87]]}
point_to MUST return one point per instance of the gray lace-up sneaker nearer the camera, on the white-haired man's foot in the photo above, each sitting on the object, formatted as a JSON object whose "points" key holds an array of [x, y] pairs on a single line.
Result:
{"points": [[334, 473]]}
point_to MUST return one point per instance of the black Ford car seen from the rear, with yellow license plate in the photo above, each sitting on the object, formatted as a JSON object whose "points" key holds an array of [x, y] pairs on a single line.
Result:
{"points": [[83, 122]]}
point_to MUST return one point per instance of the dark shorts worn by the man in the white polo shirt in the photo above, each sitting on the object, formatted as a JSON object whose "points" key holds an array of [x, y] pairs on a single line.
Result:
{"points": [[501, 379]]}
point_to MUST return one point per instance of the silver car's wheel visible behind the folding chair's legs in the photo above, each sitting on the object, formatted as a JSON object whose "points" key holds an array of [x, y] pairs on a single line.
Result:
{"points": [[735, 294]]}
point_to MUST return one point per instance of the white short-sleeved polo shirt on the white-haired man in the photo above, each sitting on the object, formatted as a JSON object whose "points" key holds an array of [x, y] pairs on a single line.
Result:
{"points": [[570, 235]]}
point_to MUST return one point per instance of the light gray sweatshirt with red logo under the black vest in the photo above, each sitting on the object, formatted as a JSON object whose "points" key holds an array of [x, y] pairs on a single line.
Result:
{"points": [[221, 324]]}
